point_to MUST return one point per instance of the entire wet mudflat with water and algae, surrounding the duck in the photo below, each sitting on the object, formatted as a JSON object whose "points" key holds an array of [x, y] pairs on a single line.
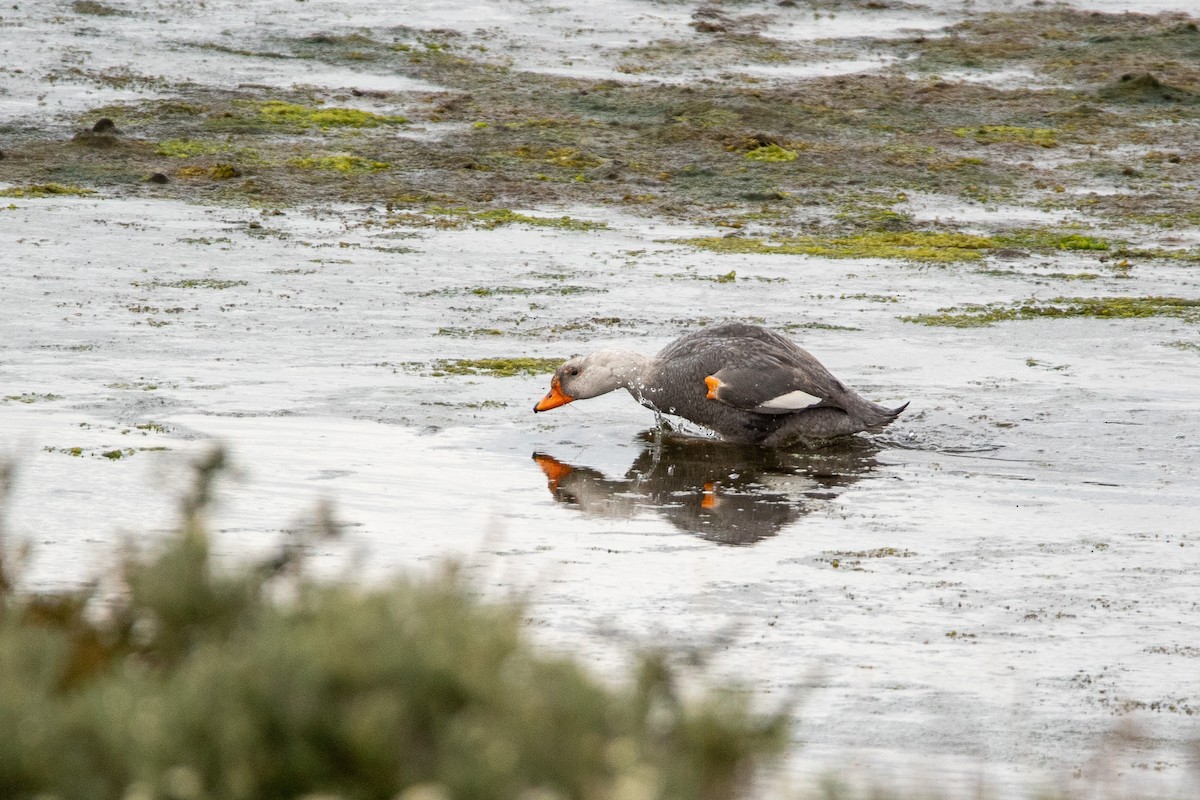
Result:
{"points": [[370, 243]]}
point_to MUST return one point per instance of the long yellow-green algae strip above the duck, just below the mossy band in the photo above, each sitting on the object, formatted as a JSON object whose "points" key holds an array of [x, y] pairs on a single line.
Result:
{"points": [[915, 246]]}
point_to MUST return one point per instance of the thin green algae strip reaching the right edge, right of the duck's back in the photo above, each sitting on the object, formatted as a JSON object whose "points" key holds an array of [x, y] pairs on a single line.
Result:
{"points": [[982, 316]]}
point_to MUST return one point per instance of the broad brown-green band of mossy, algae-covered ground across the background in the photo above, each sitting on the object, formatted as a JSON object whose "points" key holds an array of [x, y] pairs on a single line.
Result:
{"points": [[1115, 103]]}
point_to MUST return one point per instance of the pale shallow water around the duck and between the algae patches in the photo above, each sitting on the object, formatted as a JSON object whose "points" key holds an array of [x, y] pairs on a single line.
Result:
{"points": [[991, 591]]}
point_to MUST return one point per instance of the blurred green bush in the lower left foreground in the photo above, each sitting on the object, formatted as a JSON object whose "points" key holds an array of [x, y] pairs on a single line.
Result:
{"points": [[199, 684]]}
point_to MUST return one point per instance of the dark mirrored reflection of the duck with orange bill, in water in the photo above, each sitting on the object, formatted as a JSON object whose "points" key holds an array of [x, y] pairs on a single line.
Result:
{"points": [[733, 495]]}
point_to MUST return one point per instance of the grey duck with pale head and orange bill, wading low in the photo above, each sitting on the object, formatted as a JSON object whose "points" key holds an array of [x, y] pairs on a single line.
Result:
{"points": [[747, 383]]}
